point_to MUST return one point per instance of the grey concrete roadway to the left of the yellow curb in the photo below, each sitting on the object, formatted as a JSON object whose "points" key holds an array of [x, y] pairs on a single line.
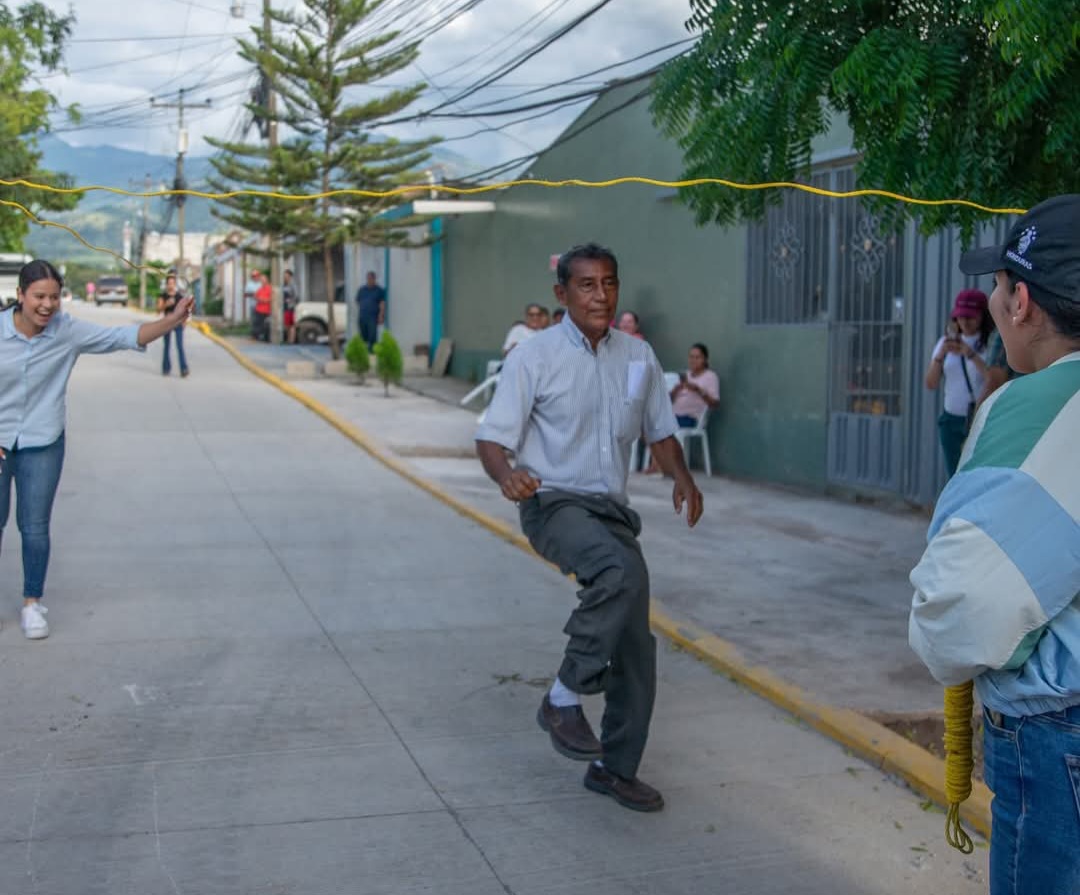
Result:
{"points": [[277, 668]]}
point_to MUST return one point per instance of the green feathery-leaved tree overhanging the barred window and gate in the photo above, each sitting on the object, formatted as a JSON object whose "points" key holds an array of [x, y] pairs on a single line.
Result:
{"points": [[947, 99]]}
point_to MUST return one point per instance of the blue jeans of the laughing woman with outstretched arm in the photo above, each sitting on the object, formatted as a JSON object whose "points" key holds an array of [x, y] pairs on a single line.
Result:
{"points": [[36, 473]]}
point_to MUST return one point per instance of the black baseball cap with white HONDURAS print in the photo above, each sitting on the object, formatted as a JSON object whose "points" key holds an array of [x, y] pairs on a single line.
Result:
{"points": [[1043, 249]]}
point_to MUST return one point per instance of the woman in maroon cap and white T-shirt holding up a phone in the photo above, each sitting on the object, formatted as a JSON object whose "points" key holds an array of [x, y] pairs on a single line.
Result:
{"points": [[960, 362]]}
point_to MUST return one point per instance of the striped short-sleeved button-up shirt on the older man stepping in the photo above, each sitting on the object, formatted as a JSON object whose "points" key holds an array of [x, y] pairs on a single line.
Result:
{"points": [[572, 415]]}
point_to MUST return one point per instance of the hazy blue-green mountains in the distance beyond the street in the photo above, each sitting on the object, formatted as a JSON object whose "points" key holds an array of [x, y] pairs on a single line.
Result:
{"points": [[101, 216]]}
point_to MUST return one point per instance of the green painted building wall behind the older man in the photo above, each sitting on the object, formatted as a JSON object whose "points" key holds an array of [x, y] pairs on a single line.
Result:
{"points": [[686, 283]]}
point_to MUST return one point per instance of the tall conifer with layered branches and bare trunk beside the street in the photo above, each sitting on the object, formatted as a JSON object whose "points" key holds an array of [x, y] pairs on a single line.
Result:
{"points": [[320, 65]]}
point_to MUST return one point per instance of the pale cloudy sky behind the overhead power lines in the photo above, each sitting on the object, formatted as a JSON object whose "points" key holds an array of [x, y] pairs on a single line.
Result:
{"points": [[125, 52]]}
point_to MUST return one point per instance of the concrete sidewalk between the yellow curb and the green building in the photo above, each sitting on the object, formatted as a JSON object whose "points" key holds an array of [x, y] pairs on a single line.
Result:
{"points": [[814, 589]]}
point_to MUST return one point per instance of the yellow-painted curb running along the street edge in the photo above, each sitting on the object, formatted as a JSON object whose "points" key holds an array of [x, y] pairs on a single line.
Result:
{"points": [[873, 742]]}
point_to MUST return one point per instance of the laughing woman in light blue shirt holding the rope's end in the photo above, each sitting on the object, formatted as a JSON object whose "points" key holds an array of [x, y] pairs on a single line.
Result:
{"points": [[39, 346]]}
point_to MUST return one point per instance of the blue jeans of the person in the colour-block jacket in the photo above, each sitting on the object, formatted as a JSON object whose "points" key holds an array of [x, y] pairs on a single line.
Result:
{"points": [[1033, 766]]}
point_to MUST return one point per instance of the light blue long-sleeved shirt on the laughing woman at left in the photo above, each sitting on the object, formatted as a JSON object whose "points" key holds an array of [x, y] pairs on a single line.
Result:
{"points": [[35, 373]]}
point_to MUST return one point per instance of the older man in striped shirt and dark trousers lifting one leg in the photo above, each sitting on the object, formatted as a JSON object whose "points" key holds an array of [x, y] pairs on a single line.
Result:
{"points": [[571, 403]]}
